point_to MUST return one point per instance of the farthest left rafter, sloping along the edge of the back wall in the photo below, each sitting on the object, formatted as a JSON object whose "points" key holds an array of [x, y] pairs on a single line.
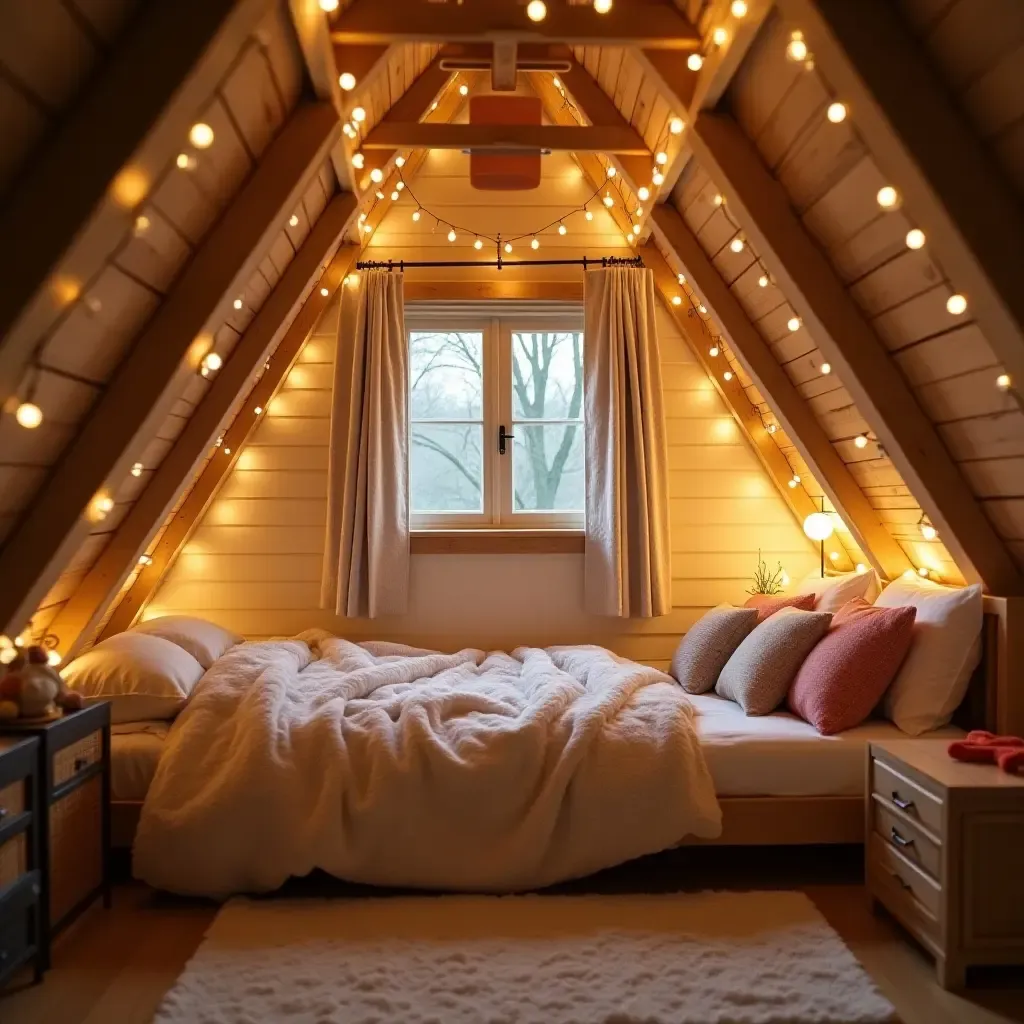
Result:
{"points": [[217, 472]]}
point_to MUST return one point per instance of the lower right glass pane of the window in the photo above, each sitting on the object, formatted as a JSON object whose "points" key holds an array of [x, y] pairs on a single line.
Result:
{"points": [[548, 471]]}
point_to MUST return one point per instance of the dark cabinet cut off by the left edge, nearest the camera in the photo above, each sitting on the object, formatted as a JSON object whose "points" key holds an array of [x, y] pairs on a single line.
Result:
{"points": [[21, 882]]}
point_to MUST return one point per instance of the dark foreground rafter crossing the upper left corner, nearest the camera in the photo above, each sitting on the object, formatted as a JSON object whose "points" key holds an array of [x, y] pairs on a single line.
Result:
{"points": [[113, 144]]}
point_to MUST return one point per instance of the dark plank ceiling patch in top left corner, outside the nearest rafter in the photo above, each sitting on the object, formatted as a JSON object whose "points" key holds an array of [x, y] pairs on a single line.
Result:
{"points": [[49, 51]]}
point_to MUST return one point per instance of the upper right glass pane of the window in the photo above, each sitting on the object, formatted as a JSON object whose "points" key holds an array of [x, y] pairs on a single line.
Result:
{"points": [[547, 374]]}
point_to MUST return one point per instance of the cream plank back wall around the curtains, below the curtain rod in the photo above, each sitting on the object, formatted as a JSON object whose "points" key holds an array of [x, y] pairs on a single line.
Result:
{"points": [[254, 564]]}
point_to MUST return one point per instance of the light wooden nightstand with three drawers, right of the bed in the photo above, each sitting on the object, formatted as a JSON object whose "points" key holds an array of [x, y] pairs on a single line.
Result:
{"points": [[946, 842]]}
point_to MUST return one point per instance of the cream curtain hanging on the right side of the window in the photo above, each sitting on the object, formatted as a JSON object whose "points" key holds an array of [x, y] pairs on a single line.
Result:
{"points": [[627, 560]]}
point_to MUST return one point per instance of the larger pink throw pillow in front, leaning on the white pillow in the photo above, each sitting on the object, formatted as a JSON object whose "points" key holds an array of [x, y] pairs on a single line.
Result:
{"points": [[846, 675]]}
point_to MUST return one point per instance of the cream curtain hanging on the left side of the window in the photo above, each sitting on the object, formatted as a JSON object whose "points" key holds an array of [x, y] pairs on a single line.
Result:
{"points": [[366, 560]]}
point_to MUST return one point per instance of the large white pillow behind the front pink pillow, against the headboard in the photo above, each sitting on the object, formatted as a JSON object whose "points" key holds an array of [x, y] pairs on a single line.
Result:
{"points": [[947, 650]]}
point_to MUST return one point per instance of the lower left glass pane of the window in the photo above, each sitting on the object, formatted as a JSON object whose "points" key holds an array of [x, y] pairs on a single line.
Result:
{"points": [[446, 468]]}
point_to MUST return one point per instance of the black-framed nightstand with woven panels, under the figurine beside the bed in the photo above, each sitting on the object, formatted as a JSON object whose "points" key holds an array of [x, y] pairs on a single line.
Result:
{"points": [[74, 771]]}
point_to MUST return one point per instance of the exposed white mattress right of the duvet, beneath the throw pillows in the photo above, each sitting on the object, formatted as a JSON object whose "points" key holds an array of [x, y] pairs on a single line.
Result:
{"points": [[781, 755]]}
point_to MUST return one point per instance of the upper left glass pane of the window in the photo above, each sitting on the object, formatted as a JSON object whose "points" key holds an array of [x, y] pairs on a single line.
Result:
{"points": [[446, 375]]}
